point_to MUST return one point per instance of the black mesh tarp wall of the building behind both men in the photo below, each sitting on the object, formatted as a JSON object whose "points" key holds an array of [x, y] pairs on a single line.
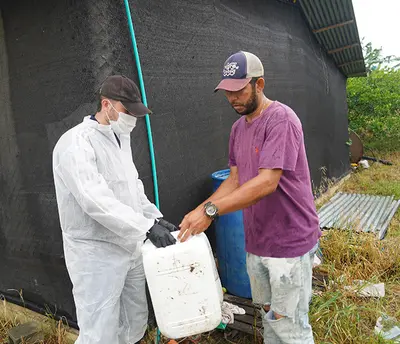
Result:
{"points": [[54, 56]]}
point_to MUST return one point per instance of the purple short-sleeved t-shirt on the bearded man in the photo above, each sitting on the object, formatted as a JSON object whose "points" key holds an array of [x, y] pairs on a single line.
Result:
{"points": [[285, 223]]}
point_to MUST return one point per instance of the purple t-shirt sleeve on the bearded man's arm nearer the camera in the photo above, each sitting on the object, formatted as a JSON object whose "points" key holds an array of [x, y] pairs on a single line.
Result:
{"points": [[280, 149]]}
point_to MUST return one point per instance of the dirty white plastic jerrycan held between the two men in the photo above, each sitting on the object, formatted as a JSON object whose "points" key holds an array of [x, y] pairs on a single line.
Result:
{"points": [[183, 286]]}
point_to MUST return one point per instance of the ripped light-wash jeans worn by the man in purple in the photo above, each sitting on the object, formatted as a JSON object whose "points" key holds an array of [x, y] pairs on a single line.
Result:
{"points": [[285, 284]]}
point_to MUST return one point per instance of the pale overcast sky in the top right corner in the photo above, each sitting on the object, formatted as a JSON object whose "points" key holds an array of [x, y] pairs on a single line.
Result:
{"points": [[379, 22]]}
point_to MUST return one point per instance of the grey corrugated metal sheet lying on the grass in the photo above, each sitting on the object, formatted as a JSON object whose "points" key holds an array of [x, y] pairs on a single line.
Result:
{"points": [[359, 212]]}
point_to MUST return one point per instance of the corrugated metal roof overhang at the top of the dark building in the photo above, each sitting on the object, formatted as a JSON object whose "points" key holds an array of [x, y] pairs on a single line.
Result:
{"points": [[334, 25]]}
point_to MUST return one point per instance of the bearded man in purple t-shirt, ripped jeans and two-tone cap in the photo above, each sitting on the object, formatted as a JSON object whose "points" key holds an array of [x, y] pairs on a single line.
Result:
{"points": [[270, 181]]}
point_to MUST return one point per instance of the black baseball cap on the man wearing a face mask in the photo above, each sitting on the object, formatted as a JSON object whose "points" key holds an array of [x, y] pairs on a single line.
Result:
{"points": [[123, 89]]}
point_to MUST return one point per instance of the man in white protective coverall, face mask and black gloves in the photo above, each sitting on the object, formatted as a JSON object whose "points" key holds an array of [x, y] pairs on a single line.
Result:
{"points": [[105, 217]]}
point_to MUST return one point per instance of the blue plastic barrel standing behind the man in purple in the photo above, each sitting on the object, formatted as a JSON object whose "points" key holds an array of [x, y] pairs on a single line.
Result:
{"points": [[231, 253]]}
